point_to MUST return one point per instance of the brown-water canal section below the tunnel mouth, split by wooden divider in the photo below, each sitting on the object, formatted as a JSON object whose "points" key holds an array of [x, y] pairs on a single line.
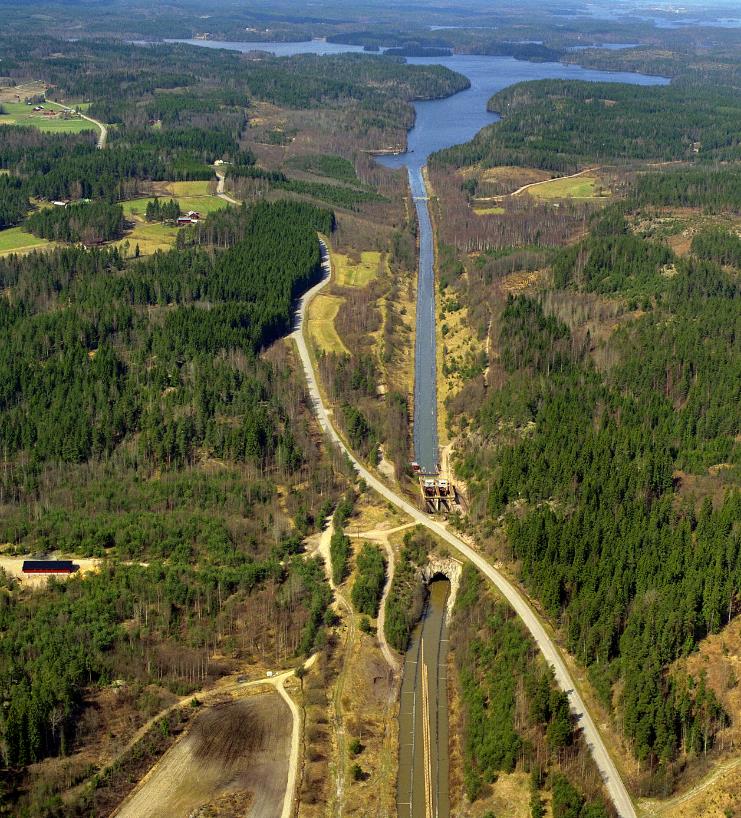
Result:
{"points": [[423, 714]]}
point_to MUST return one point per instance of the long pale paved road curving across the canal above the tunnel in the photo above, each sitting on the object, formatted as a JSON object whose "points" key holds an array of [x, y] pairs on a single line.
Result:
{"points": [[613, 782]]}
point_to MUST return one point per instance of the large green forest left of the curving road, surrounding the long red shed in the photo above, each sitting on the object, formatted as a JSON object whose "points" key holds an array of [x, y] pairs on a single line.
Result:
{"points": [[127, 388]]}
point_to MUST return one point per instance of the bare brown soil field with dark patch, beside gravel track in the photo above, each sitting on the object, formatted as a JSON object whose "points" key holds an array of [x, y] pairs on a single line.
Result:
{"points": [[235, 754]]}
